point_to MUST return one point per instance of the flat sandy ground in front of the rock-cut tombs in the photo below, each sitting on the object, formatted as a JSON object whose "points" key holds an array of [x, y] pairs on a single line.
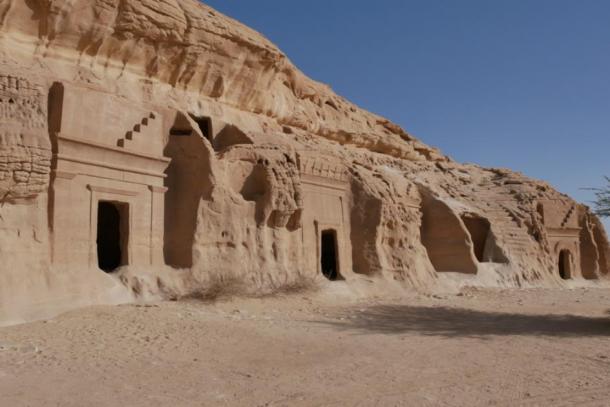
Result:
{"points": [[498, 348]]}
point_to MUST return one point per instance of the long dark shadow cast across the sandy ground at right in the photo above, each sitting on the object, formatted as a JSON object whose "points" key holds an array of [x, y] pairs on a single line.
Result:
{"points": [[459, 322]]}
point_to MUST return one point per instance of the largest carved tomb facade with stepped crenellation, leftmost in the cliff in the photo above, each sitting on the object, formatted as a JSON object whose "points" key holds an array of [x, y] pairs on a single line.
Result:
{"points": [[106, 152]]}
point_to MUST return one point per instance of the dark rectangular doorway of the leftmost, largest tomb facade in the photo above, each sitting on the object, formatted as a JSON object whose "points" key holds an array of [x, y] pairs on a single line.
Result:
{"points": [[111, 235]]}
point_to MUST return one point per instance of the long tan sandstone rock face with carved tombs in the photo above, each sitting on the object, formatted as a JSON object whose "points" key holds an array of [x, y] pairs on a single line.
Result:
{"points": [[169, 142]]}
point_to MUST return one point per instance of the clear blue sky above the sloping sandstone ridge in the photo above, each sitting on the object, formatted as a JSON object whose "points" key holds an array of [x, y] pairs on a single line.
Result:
{"points": [[523, 84]]}
